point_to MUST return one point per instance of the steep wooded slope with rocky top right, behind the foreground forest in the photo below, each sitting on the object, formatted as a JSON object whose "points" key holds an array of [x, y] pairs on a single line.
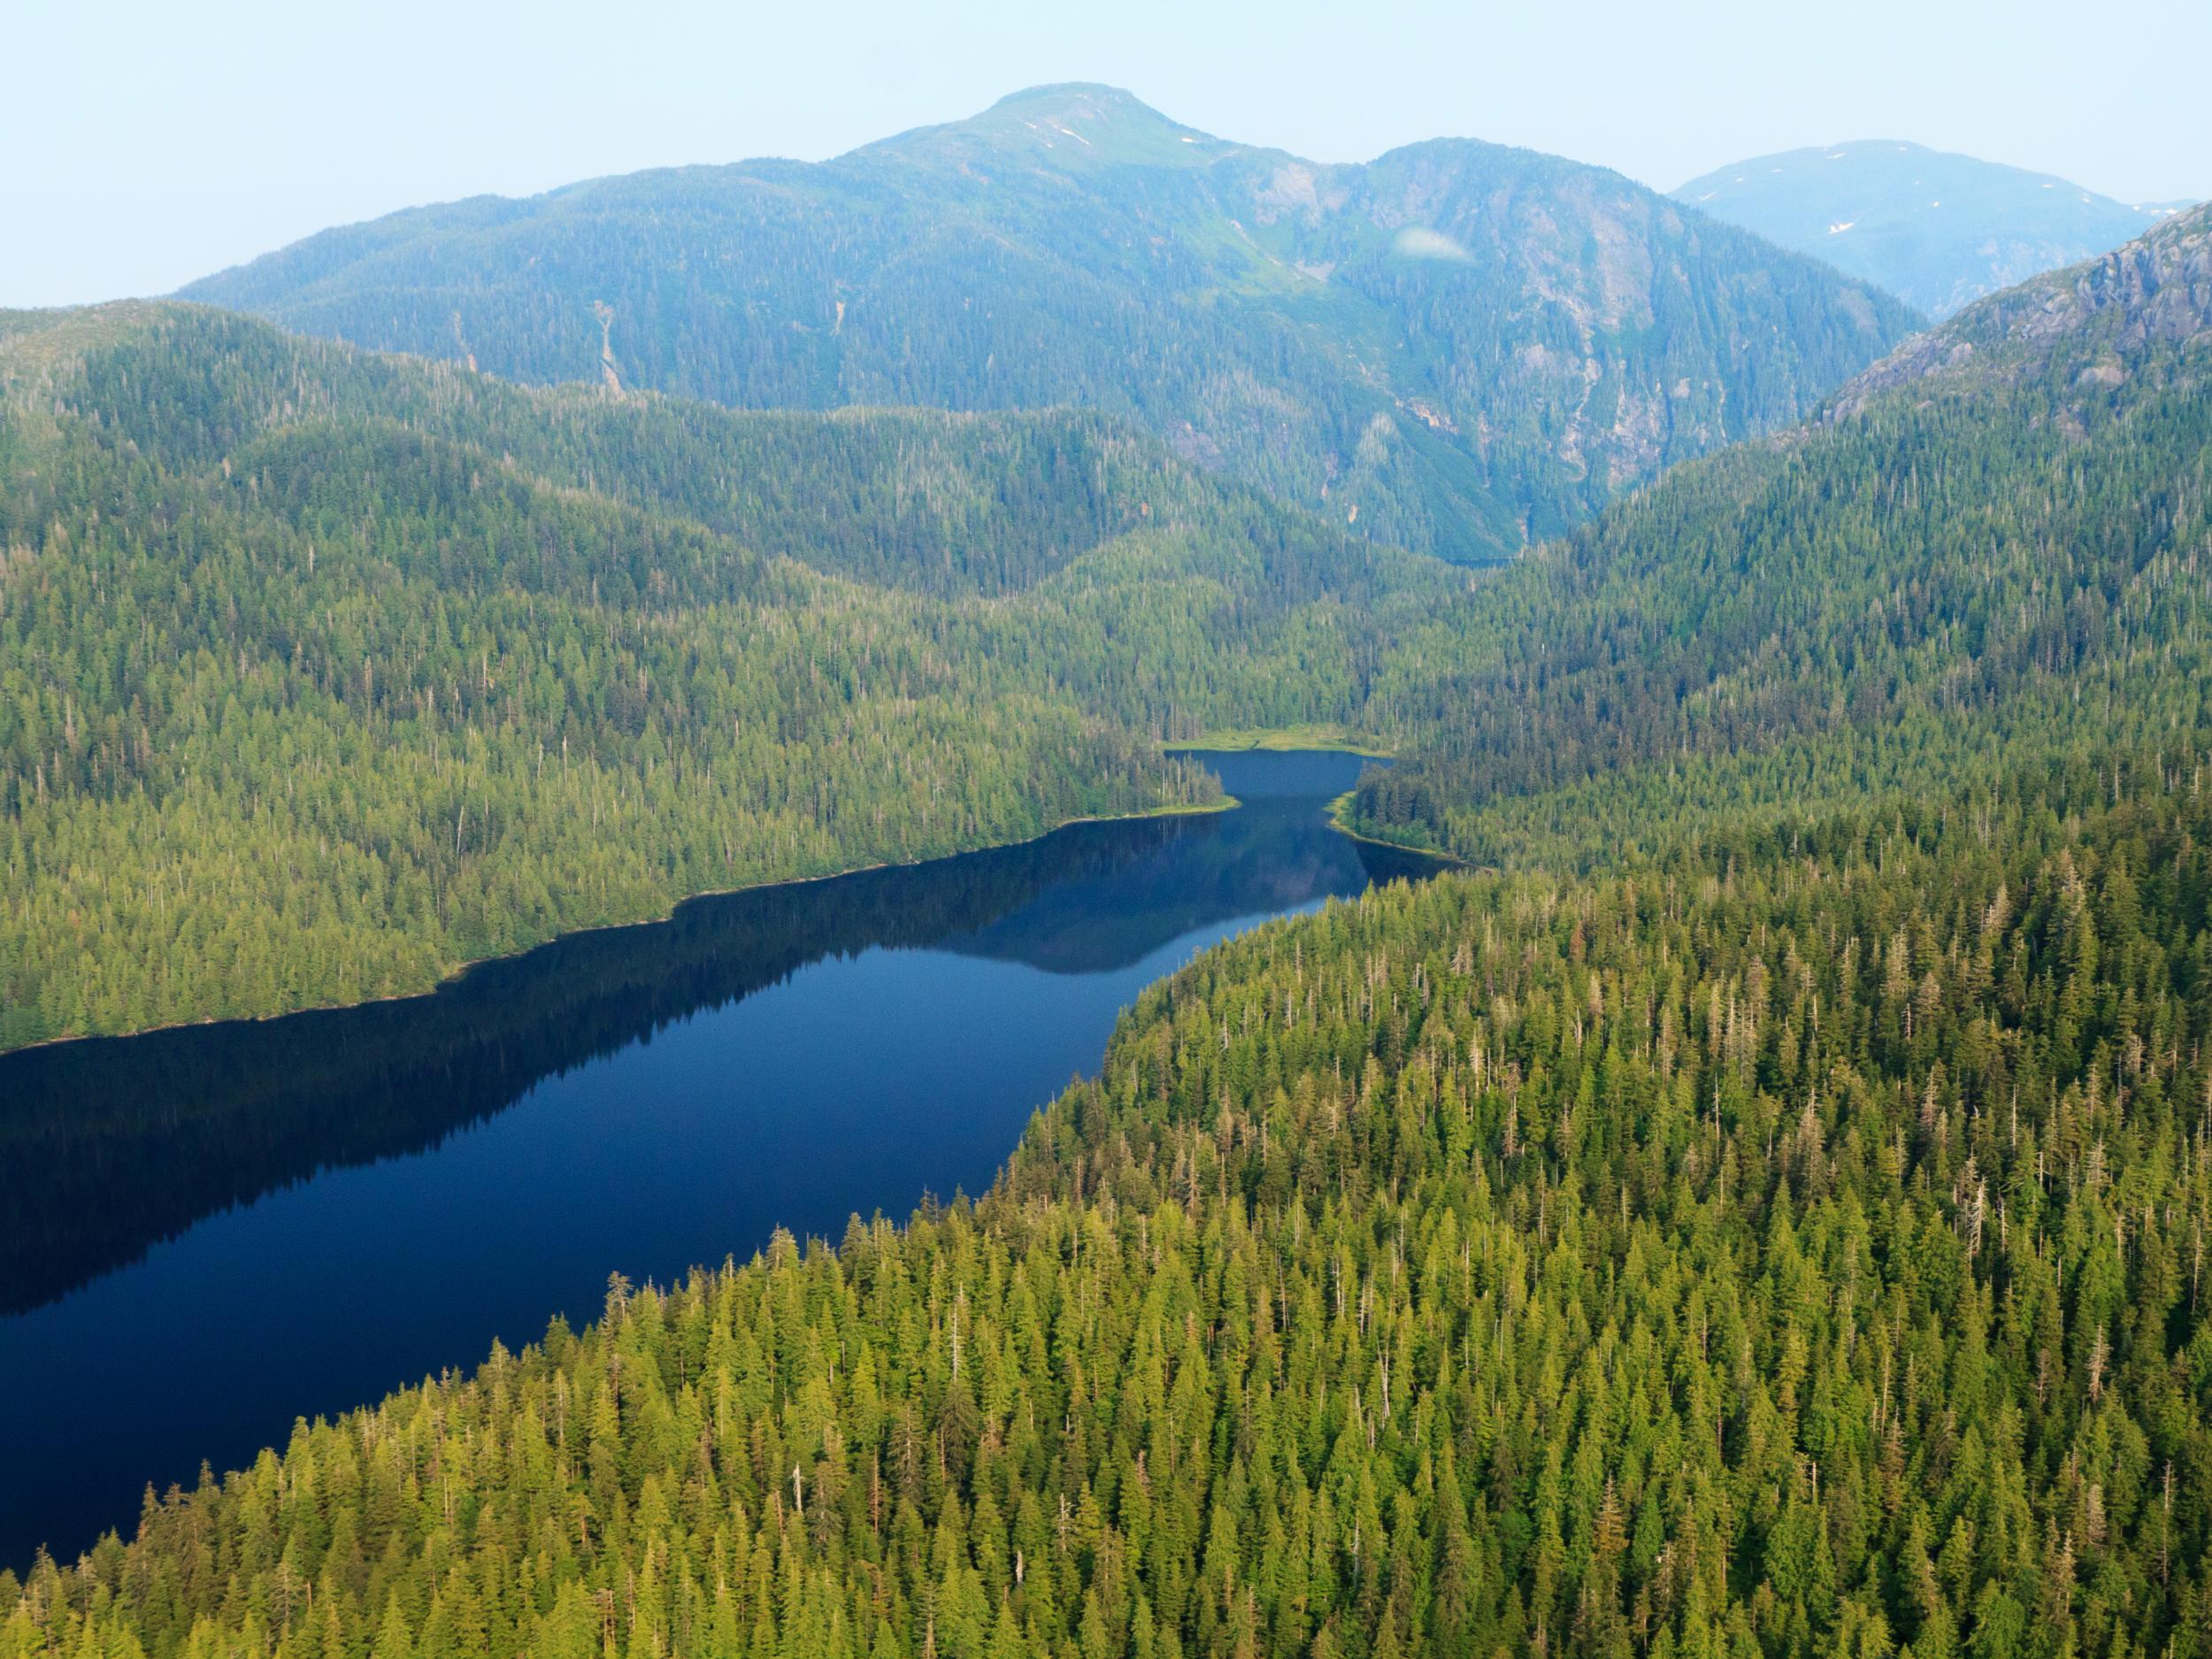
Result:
{"points": [[1985, 556]]}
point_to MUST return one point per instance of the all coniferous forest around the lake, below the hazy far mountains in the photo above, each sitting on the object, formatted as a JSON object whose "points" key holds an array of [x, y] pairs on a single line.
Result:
{"points": [[1755, 1207]]}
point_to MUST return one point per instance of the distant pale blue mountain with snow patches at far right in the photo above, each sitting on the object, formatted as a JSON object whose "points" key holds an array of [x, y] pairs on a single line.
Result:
{"points": [[1939, 231]]}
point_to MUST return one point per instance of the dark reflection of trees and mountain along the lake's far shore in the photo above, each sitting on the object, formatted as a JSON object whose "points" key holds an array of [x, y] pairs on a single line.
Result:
{"points": [[112, 1147]]}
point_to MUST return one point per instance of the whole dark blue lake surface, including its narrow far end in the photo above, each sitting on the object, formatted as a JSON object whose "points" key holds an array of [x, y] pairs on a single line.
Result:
{"points": [[211, 1233]]}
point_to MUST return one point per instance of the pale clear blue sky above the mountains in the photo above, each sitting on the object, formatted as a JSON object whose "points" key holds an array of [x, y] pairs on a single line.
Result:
{"points": [[147, 143]]}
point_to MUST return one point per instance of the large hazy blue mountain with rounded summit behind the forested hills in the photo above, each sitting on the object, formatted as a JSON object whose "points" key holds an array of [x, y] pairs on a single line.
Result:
{"points": [[1454, 348]]}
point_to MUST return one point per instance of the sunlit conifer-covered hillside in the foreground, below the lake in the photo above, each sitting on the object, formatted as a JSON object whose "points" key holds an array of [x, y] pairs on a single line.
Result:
{"points": [[1786, 1251]]}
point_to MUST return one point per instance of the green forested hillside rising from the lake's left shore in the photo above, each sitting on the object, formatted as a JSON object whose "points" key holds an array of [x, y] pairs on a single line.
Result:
{"points": [[324, 674]]}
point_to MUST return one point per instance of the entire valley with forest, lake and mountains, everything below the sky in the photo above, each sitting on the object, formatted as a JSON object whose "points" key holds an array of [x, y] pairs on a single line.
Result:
{"points": [[1399, 908]]}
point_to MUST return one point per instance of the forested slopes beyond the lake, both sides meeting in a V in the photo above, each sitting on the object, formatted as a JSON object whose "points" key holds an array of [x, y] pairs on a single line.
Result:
{"points": [[331, 671]]}
